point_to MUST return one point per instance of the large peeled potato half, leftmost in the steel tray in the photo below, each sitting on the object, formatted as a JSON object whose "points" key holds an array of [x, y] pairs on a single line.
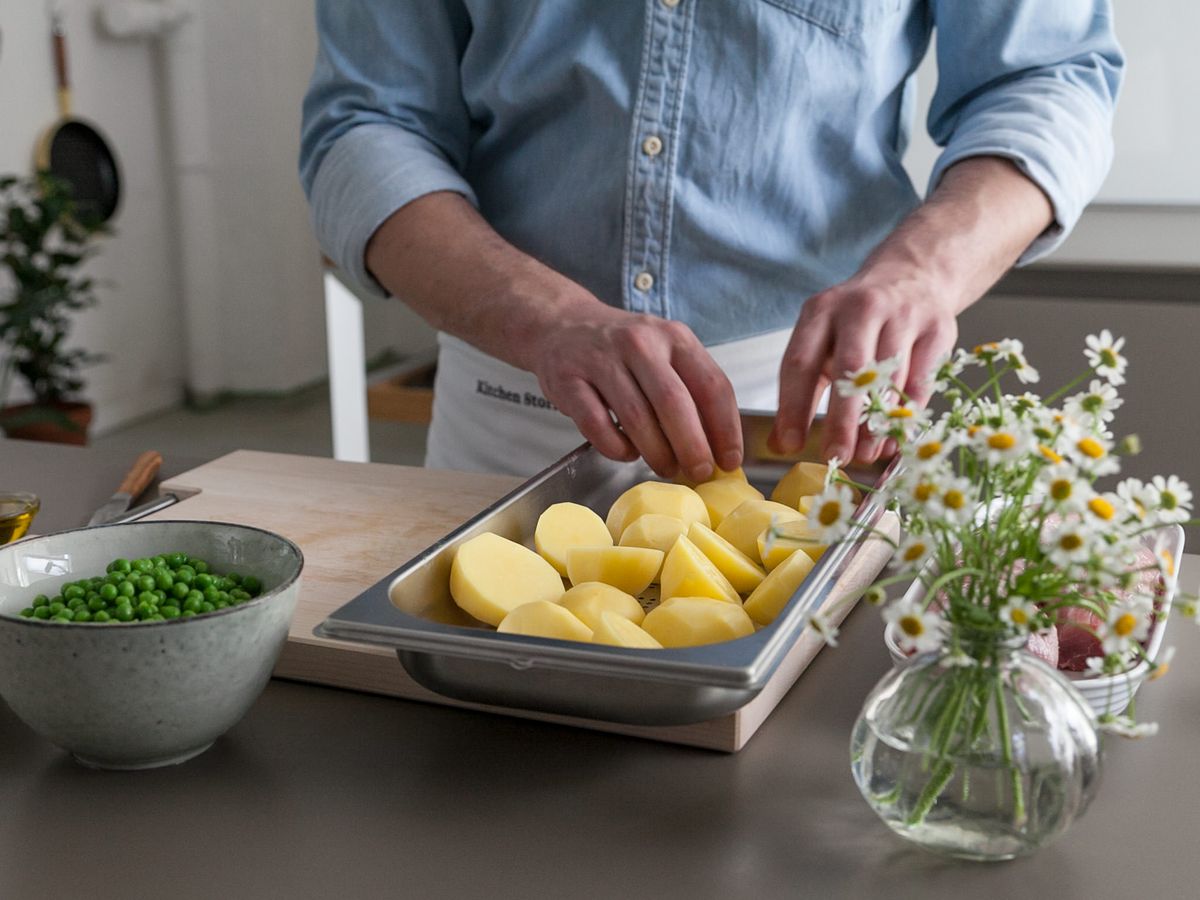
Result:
{"points": [[491, 577]]}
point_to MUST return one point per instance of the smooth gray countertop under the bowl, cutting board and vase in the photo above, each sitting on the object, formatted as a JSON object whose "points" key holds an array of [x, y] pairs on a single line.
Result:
{"points": [[321, 793]]}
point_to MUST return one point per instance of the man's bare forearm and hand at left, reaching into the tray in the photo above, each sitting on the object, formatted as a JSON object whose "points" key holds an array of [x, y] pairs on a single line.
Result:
{"points": [[634, 385]]}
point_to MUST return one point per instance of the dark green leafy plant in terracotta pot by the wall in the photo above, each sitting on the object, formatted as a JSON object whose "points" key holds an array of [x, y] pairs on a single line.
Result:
{"points": [[44, 245]]}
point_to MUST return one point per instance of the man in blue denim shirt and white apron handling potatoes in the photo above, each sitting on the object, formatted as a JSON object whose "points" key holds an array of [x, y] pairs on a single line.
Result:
{"points": [[616, 201]]}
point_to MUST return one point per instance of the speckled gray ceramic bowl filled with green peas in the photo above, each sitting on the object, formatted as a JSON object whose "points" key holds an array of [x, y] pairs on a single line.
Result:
{"points": [[135, 646]]}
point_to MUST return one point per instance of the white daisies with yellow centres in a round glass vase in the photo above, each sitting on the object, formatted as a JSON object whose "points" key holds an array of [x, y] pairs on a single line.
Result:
{"points": [[1022, 559]]}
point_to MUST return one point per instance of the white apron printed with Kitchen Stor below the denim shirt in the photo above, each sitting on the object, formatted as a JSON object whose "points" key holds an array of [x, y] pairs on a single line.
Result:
{"points": [[491, 417]]}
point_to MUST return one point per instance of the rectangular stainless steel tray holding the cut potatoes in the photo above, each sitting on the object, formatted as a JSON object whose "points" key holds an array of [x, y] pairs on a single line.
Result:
{"points": [[411, 610]]}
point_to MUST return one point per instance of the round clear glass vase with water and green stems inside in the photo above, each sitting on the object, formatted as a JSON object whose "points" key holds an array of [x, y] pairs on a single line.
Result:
{"points": [[986, 754]]}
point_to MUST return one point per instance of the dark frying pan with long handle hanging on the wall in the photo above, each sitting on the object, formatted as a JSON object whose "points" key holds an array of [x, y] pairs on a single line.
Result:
{"points": [[76, 152]]}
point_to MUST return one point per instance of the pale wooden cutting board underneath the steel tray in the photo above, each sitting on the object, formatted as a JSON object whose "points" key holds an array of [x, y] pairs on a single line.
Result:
{"points": [[357, 523]]}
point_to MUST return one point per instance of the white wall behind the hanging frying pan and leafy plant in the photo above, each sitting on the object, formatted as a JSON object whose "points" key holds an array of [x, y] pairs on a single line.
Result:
{"points": [[266, 311]]}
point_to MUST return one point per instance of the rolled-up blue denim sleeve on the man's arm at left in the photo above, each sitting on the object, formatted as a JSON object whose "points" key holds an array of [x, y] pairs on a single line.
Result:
{"points": [[385, 121]]}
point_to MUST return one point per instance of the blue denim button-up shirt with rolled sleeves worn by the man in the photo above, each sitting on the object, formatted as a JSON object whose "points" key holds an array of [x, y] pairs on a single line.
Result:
{"points": [[711, 161]]}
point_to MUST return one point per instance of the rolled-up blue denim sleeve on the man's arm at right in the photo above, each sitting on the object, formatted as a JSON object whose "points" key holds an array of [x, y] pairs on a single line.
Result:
{"points": [[1034, 82]]}
